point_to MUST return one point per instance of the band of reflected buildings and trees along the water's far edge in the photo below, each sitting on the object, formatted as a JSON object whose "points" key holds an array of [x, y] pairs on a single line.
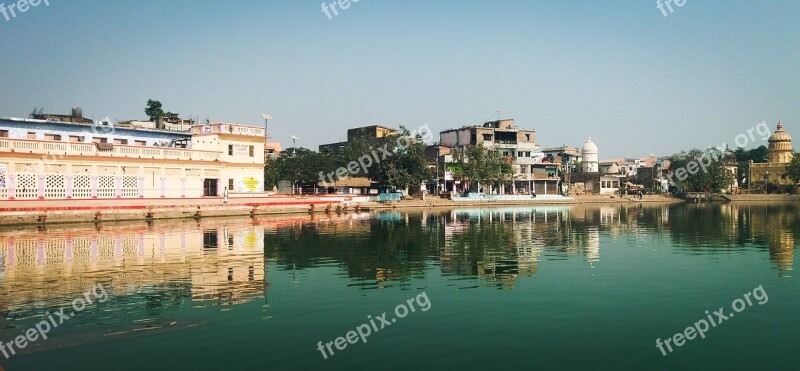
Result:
{"points": [[215, 263]]}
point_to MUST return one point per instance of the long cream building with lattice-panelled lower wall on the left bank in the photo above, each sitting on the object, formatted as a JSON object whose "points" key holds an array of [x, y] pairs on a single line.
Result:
{"points": [[42, 159]]}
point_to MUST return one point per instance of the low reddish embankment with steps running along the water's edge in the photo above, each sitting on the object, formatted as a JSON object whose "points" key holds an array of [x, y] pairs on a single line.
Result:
{"points": [[104, 210]]}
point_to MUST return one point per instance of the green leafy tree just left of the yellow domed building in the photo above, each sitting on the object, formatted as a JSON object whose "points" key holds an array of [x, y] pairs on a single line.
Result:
{"points": [[689, 176]]}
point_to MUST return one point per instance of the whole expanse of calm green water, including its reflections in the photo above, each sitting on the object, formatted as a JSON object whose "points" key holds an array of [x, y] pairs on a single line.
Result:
{"points": [[531, 287]]}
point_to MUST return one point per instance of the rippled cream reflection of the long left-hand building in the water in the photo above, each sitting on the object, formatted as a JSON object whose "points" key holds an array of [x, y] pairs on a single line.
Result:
{"points": [[216, 262]]}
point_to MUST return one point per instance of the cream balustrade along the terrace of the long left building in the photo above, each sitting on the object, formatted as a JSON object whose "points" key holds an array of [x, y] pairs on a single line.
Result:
{"points": [[89, 150]]}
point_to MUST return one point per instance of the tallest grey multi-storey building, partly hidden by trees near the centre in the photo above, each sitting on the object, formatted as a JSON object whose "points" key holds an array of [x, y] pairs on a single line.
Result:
{"points": [[531, 173]]}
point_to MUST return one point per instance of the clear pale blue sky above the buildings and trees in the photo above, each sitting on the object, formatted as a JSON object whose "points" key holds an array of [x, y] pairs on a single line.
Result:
{"points": [[636, 81]]}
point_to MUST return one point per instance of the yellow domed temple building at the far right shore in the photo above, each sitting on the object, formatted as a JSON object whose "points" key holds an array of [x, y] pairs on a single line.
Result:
{"points": [[780, 154]]}
